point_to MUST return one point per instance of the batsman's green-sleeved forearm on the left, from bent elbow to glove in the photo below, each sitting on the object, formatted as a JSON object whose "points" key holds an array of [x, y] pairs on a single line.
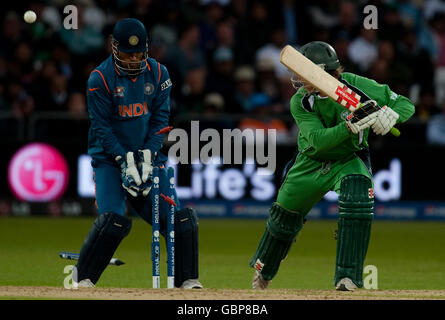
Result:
{"points": [[328, 138]]}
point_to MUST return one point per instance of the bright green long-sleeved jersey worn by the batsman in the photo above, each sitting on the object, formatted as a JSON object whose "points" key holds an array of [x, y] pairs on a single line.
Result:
{"points": [[323, 134]]}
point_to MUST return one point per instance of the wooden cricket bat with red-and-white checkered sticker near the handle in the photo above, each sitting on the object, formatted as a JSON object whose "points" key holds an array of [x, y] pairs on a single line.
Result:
{"points": [[323, 81]]}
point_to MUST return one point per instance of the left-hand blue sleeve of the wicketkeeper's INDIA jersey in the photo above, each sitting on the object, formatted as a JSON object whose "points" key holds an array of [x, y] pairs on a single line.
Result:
{"points": [[99, 108]]}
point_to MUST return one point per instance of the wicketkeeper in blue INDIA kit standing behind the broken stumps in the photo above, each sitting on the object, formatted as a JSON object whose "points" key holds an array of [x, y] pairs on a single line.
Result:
{"points": [[129, 106]]}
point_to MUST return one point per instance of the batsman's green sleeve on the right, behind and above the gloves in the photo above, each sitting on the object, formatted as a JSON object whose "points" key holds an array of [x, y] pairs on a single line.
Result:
{"points": [[383, 95]]}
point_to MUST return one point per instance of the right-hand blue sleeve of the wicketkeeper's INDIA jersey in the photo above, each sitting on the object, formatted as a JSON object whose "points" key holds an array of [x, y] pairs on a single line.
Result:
{"points": [[160, 112]]}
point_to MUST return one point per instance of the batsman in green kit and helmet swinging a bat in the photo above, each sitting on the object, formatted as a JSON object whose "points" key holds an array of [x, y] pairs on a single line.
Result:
{"points": [[333, 154]]}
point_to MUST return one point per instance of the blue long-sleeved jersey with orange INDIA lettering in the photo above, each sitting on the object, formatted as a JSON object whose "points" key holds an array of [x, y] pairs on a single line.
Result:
{"points": [[127, 113]]}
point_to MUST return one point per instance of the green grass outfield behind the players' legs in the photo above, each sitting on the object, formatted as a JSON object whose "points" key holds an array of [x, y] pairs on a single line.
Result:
{"points": [[408, 255]]}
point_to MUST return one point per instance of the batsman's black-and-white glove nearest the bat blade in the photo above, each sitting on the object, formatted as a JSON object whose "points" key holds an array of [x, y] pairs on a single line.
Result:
{"points": [[363, 117]]}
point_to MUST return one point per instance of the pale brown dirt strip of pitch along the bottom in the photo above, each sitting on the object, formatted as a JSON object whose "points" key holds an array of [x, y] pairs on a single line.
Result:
{"points": [[29, 292]]}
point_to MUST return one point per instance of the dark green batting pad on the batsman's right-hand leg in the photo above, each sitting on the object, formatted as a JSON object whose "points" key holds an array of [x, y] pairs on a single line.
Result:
{"points": [[355, 208]]}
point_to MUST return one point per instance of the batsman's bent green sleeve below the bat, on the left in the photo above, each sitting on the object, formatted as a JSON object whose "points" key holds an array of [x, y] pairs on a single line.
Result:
{"points": [[312, 129]]}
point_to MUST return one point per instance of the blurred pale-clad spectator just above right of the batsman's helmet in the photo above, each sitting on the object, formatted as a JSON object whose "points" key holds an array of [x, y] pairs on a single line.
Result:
{"points": [[363, 50]]}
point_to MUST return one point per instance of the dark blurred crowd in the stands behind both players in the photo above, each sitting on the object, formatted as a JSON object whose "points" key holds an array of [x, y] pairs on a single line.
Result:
{"points": [[223, 56]]}
